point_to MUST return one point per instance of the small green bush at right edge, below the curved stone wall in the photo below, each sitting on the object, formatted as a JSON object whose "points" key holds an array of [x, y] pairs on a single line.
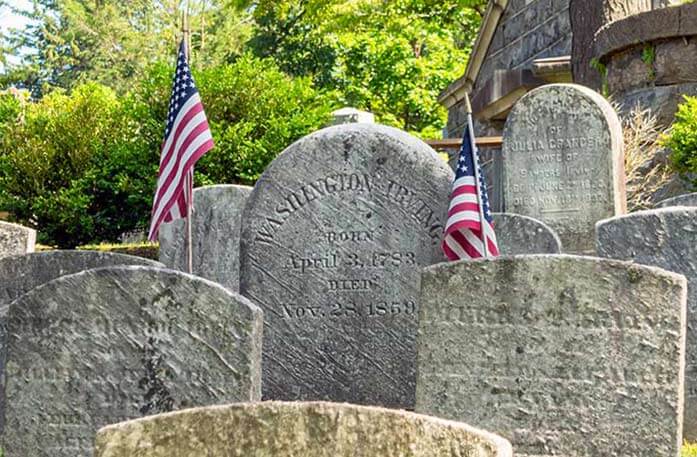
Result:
{"points": [[683, 138]]}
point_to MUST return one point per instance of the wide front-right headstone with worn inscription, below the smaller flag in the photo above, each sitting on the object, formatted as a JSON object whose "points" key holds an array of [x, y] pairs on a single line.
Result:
{"points": [[561, 355]]}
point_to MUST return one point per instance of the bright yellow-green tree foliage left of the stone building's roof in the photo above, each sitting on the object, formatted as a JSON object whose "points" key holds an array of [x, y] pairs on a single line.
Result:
{"points": [[391, 58]]}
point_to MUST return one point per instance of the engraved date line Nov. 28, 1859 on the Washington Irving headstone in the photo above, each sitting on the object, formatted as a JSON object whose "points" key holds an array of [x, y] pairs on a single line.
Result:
{"points": [[348, 310]]}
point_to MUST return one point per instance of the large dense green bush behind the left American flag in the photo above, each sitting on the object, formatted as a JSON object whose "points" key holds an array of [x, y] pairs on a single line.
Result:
{"points": [[81, 167]]}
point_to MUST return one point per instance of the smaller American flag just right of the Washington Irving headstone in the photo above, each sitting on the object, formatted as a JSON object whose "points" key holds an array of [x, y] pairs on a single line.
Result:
{"points": [[469, 204]]}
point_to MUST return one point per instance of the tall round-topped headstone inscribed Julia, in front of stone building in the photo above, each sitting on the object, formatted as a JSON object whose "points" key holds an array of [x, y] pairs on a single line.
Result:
{"points": [[563, 162]]}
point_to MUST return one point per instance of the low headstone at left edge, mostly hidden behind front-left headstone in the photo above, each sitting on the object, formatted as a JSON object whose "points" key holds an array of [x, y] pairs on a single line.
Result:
{"points": [[19, 274]]}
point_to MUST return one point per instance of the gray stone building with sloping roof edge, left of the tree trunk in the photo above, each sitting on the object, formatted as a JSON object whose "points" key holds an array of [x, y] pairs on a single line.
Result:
{"points": [[522, 44]]}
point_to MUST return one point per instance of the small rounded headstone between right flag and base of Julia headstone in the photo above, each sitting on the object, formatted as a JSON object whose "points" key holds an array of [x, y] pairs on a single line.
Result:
{"points": [[518, 235]]}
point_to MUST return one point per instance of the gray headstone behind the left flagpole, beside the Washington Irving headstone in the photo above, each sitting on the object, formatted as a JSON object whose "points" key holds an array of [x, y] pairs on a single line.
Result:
{"points": [[215, 232]]}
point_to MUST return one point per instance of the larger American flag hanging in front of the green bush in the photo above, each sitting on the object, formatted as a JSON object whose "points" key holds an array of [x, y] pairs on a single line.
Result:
{"points": [[187, 138]]}
